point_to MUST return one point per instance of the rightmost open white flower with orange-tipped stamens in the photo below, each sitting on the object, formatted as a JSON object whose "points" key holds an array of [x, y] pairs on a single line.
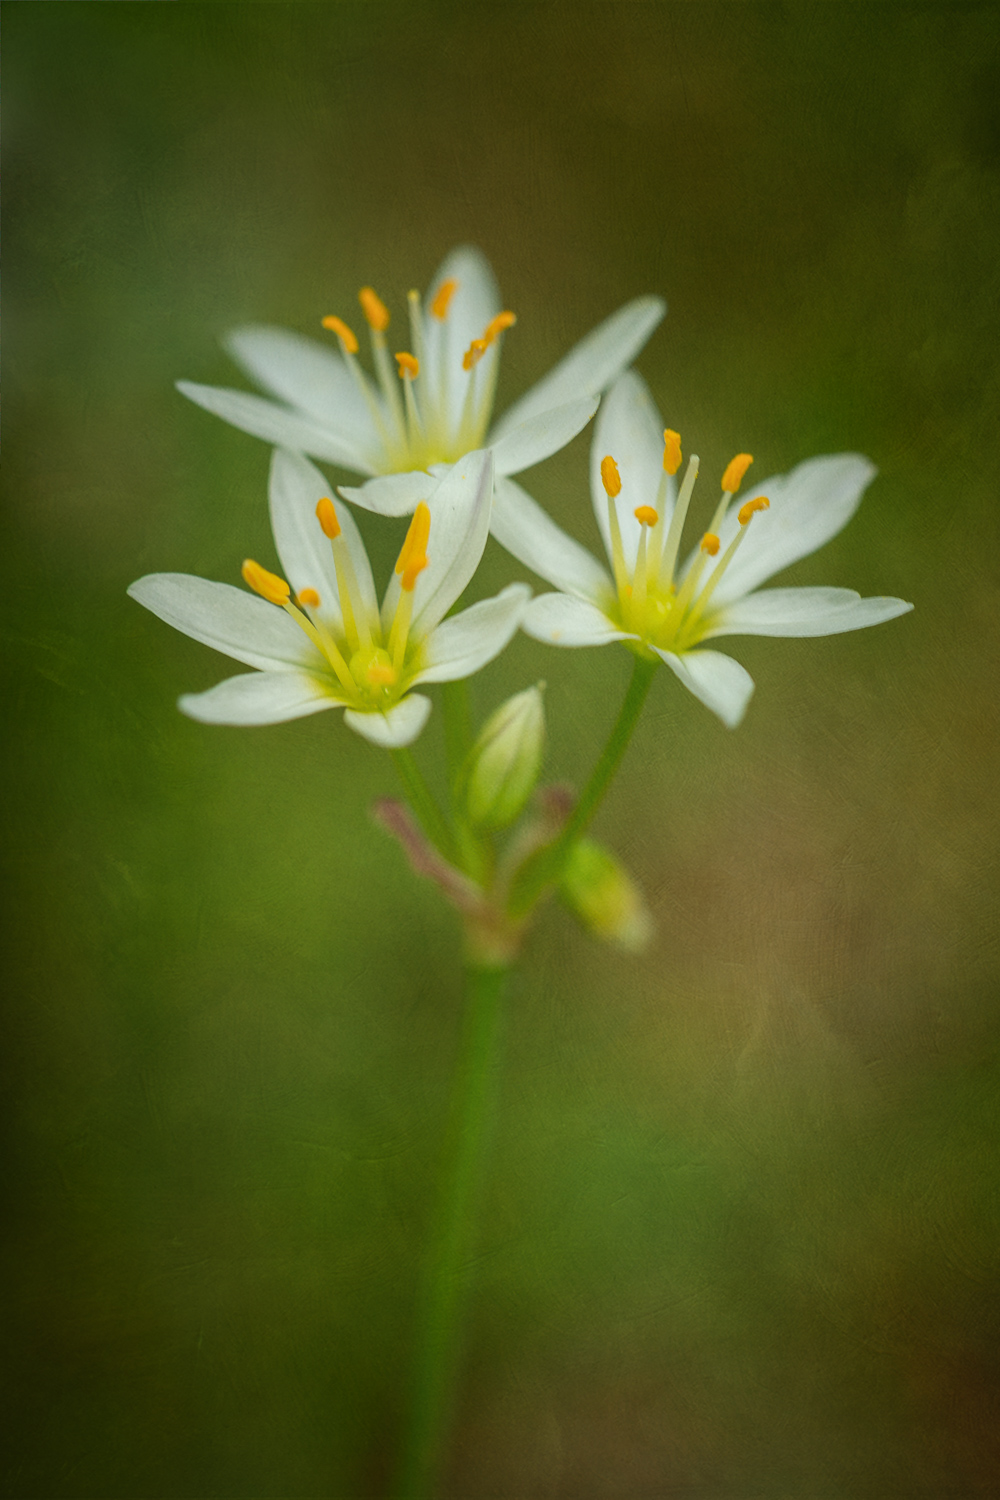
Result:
{"points": [[669, 611]]}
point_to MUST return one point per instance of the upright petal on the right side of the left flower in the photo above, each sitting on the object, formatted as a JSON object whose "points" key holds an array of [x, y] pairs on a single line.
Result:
{"points": [[460, 527]]}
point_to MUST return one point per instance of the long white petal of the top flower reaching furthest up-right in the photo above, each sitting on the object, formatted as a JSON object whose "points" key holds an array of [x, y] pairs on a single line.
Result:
{"points": [[593, 364]]}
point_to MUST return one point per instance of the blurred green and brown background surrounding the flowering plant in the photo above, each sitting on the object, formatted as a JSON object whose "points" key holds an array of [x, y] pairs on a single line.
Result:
{"points": [[741, 1231]]}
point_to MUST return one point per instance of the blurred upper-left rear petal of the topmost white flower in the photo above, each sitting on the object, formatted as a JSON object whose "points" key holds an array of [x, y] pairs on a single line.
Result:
{"points": [[310, 377]]}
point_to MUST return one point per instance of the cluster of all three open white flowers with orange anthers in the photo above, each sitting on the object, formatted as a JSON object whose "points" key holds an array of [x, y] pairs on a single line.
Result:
{"points": [[421, 436]]}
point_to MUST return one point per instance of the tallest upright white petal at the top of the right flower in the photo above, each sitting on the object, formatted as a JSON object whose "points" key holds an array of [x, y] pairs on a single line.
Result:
{"points": [[630, 428]]}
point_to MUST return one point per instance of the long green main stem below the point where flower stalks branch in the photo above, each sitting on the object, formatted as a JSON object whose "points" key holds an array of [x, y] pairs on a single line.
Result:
{"points": [[439, 1345]]}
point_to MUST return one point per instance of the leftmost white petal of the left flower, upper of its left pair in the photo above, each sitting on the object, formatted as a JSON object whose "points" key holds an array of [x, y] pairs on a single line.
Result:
{"points": [[229, 620]]}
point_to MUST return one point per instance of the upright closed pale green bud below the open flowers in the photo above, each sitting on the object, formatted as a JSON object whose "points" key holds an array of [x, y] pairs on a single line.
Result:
{"points": [[506, 761]]}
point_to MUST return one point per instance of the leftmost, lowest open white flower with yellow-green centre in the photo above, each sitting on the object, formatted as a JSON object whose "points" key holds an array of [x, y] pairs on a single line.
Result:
{"points": [[320, 640]]}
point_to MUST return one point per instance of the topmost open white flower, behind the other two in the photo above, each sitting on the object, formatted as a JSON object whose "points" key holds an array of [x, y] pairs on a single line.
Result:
{"points": [[434, 406]]}
